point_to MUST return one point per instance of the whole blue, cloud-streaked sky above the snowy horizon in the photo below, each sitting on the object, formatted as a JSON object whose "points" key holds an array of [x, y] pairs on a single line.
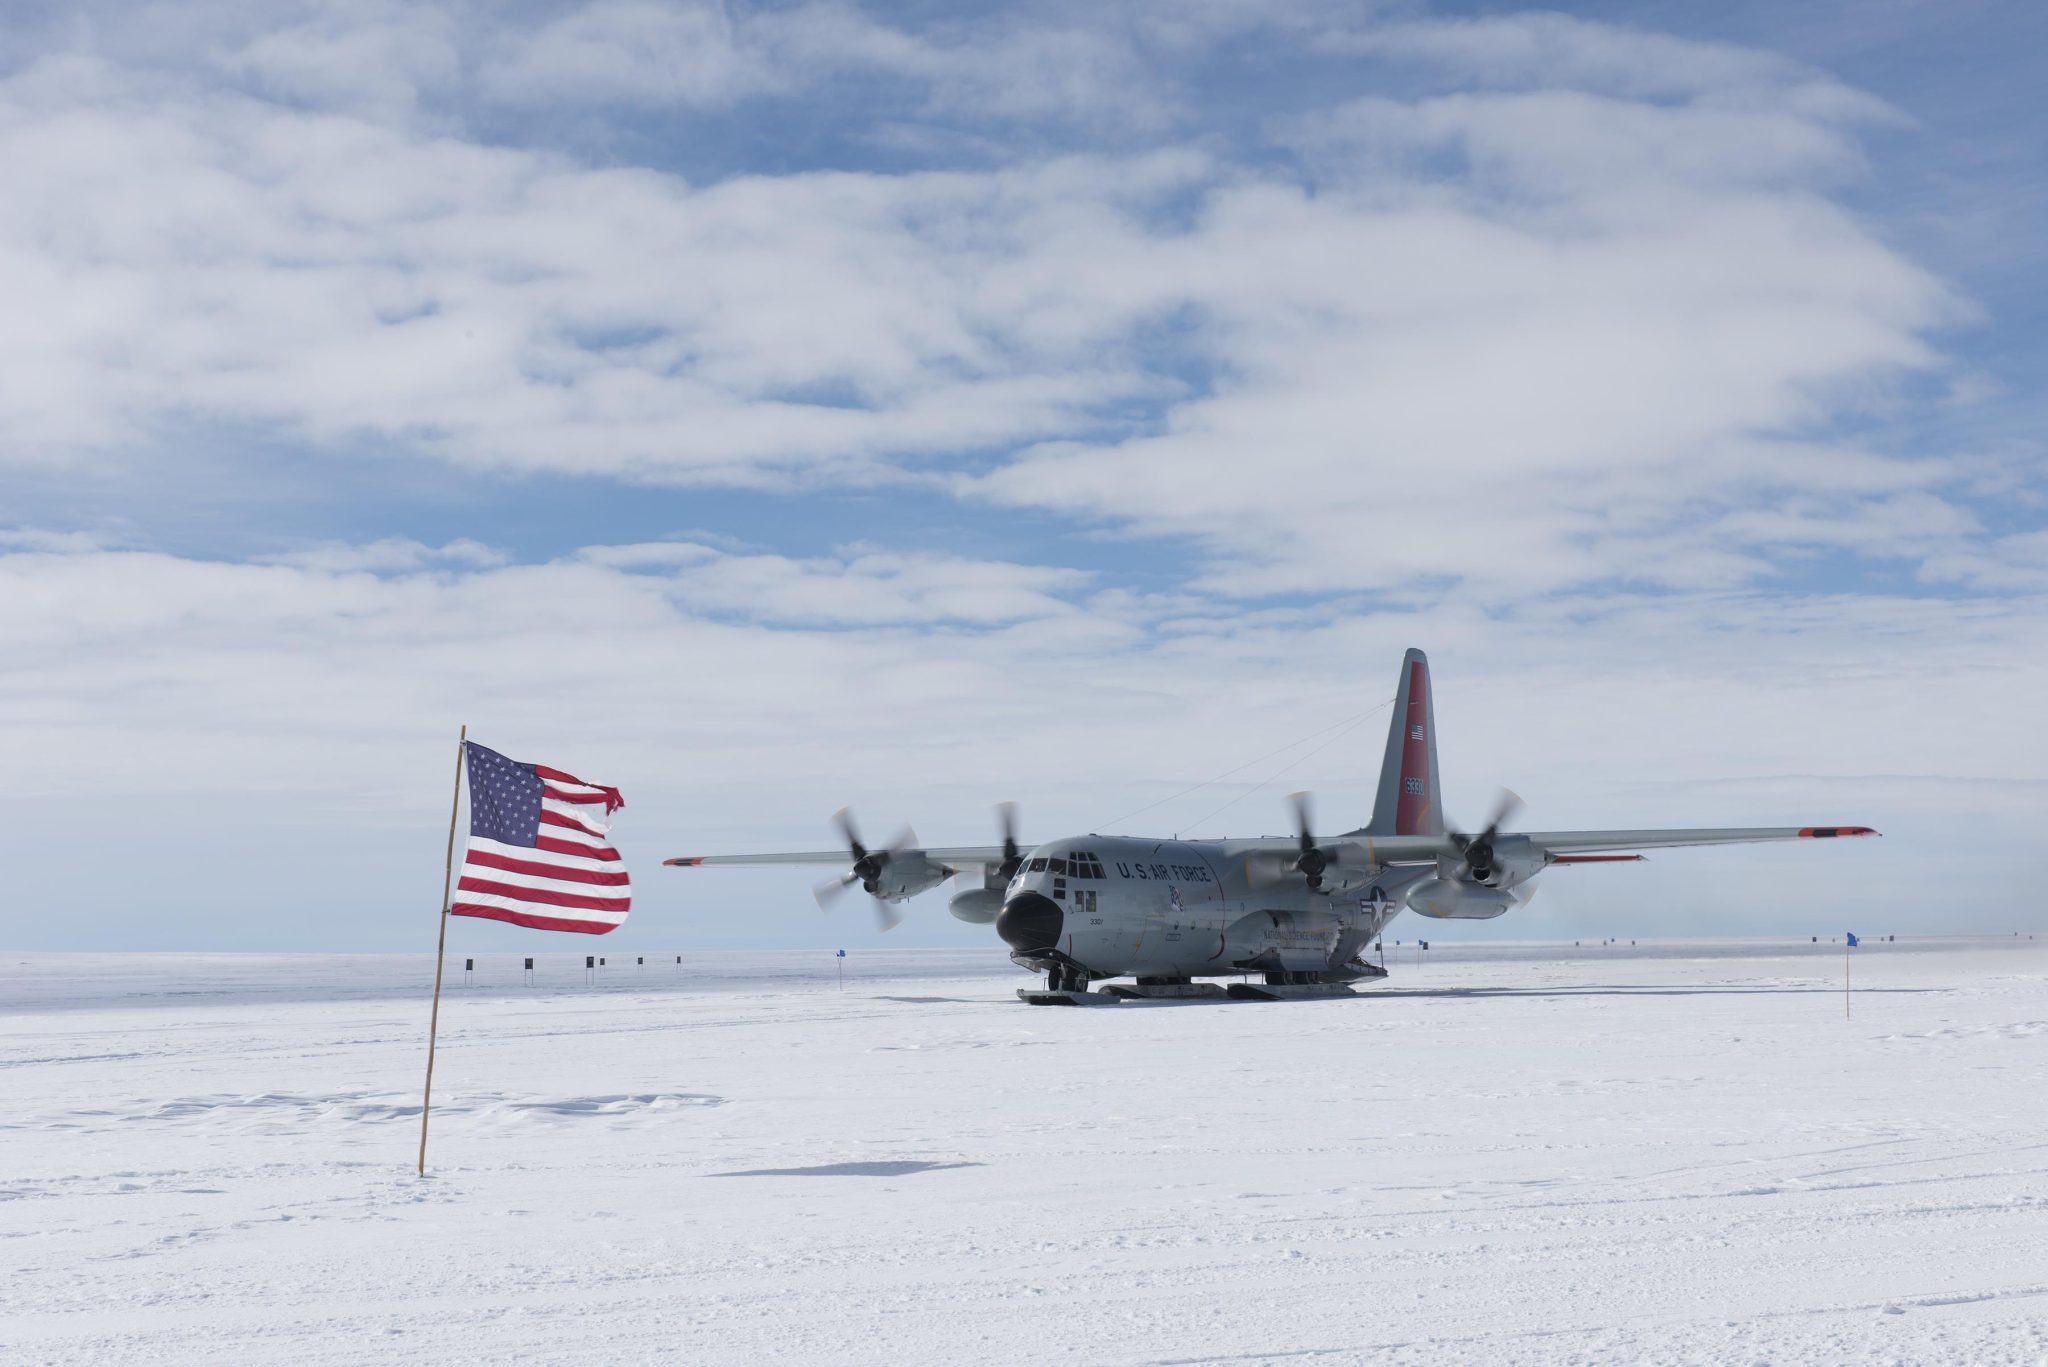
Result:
{"points": [[912, 407]]}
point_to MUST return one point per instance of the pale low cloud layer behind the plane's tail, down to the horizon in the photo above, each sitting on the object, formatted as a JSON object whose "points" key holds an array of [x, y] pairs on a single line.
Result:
{"points": [[304, 712]]}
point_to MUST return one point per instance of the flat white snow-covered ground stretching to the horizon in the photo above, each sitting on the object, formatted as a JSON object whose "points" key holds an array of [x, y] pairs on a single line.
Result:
{"points": [[1504, 1155]]}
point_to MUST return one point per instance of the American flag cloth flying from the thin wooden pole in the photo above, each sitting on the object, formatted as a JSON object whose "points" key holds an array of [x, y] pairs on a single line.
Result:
{"points": [[538, 854]]}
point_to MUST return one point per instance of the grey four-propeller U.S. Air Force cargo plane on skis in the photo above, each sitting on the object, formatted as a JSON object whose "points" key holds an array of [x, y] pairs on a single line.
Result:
{"points": [[1281, 917]]}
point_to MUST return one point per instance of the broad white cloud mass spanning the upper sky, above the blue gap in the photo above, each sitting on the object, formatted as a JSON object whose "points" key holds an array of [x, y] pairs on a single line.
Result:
{"points": [[1596, 302]]}
